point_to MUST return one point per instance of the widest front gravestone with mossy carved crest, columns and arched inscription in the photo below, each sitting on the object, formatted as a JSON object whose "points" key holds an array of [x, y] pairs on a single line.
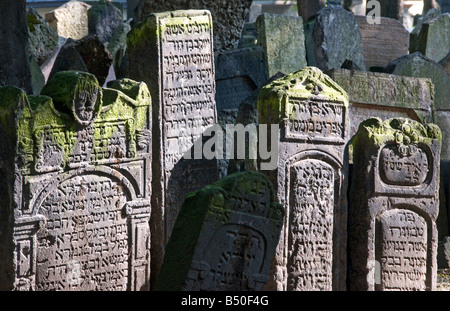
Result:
{"points": [[76, 185]]}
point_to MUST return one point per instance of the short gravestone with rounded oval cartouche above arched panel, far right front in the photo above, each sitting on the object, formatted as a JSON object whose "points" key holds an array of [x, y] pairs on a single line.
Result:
{"points": [[394, 205]]}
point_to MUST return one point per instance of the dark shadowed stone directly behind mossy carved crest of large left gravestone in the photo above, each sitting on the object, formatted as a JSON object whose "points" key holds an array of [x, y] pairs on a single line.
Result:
{"points": [[87, 54]]}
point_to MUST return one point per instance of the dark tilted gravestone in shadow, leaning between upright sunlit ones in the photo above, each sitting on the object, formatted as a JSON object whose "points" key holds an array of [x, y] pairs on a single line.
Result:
{"points": [[224, 237]]}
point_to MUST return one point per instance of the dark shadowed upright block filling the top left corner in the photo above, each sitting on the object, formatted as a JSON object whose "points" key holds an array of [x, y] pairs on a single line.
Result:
{"points": [[14, 47]]}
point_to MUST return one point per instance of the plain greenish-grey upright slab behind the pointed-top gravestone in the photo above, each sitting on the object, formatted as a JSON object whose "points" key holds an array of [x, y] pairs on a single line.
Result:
{"points": [[283, 40]]}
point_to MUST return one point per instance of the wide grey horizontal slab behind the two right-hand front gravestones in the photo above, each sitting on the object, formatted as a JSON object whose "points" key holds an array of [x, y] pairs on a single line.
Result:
{"points": [[385, 95]]}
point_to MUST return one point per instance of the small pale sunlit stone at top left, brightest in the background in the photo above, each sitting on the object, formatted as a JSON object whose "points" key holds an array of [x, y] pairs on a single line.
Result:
{"points": [[70, 20]]}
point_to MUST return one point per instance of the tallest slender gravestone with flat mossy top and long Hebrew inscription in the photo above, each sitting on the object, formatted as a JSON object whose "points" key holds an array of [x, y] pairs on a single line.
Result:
{"points": [[173, 53]]}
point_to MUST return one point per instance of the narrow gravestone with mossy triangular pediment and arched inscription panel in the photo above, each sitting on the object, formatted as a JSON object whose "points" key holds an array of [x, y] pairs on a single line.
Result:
{"points": [[310, 180]]}
